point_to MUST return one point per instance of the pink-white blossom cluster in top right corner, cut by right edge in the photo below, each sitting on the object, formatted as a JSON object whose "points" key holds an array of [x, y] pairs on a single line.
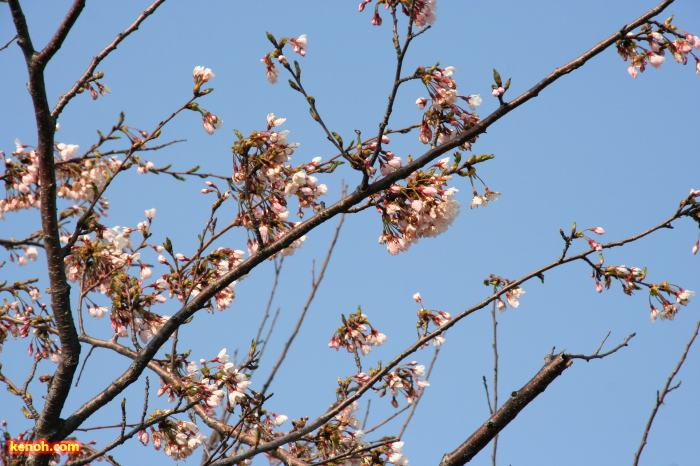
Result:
{"points": [[659, 37]]}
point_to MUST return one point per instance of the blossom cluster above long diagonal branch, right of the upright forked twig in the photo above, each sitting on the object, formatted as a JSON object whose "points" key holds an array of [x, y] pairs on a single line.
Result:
{"points": [[444, 119]]}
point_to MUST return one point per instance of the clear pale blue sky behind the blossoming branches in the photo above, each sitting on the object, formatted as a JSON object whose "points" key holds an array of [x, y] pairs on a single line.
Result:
{"points": [[597, 148]]}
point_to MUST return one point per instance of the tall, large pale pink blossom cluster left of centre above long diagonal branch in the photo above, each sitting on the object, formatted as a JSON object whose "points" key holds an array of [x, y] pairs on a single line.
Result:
{"points": [[264, 181]]}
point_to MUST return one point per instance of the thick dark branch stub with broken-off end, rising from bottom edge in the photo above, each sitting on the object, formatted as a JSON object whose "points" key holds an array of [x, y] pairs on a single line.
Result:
{"points": [[517, 401]]}
